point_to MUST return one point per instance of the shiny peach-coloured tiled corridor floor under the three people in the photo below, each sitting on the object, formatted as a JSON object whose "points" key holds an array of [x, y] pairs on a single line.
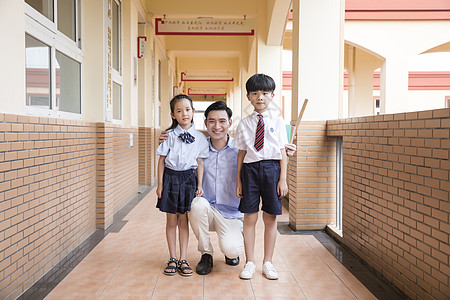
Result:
{"points": [[128, 264]]}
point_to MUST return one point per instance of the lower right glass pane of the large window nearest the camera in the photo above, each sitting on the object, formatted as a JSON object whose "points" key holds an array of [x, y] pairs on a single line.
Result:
{"points": [[68, 84]]}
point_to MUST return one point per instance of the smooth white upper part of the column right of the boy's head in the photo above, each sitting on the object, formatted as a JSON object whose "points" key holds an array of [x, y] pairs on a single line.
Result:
{"points": [[317, 58]]}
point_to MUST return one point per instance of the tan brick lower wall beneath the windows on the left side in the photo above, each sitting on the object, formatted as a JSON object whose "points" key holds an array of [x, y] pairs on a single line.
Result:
{"points": [[59, 181]]}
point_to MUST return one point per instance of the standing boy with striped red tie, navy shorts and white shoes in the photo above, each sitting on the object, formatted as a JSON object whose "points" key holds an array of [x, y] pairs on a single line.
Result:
{"points": [[261, 171]]}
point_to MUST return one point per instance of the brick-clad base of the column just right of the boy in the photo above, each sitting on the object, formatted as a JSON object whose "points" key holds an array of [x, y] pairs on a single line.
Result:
{"points": [[312, 178]]}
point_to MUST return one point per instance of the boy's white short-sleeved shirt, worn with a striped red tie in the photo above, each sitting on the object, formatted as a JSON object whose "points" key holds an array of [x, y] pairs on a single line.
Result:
{"points": [[275, 137]]}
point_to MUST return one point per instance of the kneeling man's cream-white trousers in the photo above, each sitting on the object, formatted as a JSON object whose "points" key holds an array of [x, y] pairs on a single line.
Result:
{"points": [[204, 218]]}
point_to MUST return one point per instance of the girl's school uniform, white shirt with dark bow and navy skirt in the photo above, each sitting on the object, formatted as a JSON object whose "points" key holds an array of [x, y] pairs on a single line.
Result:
{"points": [[181, 149]]}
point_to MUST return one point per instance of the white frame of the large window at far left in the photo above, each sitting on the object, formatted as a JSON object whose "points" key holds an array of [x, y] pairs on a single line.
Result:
{"points": [[41, 28]]}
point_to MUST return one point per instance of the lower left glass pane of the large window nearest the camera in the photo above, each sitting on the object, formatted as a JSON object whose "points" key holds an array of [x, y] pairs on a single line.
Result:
{"points": [[37, 64]]}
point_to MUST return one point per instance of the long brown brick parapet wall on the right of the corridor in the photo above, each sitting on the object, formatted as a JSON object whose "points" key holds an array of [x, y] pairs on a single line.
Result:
{"points": [[396, 197]]}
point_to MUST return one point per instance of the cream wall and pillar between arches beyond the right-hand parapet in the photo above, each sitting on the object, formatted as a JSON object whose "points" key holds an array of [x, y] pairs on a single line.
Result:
{"points": [[399, 43]]}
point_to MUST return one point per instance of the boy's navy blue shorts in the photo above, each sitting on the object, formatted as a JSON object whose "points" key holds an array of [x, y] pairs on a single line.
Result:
{"points": [[260, 179]]}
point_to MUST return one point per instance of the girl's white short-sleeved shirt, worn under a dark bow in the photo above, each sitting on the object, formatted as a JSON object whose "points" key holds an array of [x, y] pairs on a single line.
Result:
{"points": [[181, 156]]}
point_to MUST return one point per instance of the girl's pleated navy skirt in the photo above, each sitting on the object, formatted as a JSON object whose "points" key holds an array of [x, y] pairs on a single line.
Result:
{"points": [[178, 191]]}
